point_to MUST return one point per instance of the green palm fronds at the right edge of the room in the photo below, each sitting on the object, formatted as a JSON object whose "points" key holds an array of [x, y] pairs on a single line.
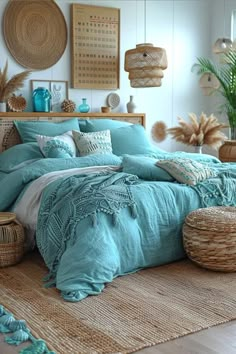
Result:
{"points": [[226, 75]]}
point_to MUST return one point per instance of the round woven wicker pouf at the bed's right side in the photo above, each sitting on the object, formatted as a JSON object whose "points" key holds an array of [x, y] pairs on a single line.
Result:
{"points": [[209, 237]]}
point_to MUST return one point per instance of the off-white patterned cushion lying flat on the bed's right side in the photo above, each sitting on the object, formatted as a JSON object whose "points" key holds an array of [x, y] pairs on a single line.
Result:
{"points": [[187, 171]]}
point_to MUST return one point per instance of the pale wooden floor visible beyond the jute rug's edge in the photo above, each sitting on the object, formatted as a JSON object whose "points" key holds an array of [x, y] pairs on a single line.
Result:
{"points": [[215, 340]]}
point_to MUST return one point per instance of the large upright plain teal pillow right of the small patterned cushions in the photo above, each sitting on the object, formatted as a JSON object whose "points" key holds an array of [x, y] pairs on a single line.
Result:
{"points": [[130, 140]]}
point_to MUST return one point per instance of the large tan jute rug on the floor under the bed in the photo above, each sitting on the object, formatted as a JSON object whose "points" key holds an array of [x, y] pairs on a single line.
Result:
{"points": [[133, 312]]}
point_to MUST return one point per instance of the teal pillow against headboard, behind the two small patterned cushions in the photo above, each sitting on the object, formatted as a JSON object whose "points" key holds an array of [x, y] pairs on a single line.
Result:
{"points": [[29, 129]]}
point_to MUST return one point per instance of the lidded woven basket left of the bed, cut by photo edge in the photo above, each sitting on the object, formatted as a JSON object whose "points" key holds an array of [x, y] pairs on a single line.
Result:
{"points": [[11, 243]]}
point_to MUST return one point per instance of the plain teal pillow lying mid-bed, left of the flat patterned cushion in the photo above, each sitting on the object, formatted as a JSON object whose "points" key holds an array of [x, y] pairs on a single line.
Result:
{"points": [[145, 168]]}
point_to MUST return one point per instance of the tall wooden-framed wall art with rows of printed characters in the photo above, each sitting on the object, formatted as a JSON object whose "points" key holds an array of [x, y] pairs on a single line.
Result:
{"points": [[95, 47]]}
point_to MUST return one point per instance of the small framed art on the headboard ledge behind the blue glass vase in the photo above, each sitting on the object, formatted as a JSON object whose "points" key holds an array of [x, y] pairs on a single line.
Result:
{"points": [[58, 90]]}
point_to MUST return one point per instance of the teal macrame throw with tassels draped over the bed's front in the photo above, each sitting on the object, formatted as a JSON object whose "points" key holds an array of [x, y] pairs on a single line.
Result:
{"points": [[74, 199]]}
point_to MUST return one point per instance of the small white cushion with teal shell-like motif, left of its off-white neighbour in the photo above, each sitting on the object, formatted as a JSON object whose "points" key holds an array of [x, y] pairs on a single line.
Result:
{"points": [[57, 146]]}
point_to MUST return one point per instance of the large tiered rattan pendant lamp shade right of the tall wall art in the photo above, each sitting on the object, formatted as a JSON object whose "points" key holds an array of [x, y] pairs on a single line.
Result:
{"points": [[145, 65]]}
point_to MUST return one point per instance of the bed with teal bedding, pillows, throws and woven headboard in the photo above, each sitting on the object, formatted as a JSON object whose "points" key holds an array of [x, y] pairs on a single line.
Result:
{"points": [[100, 201]]}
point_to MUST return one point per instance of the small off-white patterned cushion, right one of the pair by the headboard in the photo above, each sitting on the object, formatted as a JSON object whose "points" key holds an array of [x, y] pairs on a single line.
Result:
{"points": [[93, 143]]}
